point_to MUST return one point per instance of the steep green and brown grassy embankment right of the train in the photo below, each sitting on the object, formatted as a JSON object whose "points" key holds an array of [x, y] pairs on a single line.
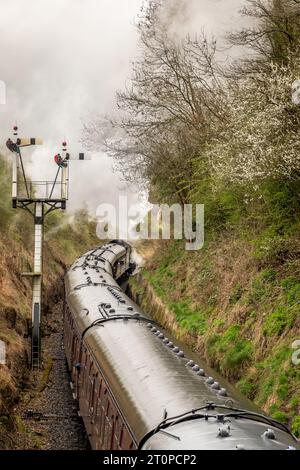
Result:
{"points": [[237, 300]]}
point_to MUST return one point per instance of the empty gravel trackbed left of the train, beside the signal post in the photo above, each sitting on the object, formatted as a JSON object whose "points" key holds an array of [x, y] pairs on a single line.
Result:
{"points": [[49, 414]]}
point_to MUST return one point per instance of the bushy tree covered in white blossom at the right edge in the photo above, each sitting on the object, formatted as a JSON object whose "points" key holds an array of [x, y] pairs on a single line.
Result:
{"points": [[260, 138]]}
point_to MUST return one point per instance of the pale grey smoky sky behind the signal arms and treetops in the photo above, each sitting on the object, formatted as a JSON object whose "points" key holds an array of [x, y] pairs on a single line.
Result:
{"points": [[61, 59]]}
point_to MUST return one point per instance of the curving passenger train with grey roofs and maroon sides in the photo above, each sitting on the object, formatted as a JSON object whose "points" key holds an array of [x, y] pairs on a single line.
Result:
{"points": [[135, 388]]}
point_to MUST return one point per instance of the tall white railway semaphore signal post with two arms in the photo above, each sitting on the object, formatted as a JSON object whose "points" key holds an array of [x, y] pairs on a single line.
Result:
{"points": [[39, 198]]}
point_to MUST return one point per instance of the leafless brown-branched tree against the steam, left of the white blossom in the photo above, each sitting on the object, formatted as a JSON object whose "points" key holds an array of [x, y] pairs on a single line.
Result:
{"points": [[165, 116]]}
